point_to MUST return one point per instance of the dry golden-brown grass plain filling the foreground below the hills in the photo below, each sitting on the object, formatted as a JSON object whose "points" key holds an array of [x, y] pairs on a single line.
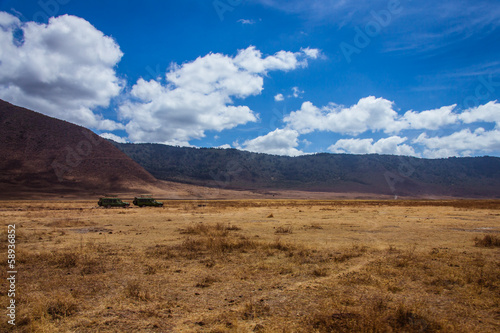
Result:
{"points": [[256, 266]]}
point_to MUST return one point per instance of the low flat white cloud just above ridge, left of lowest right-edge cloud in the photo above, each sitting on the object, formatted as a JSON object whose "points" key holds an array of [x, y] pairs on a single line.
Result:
{"points": [[392, 146]]}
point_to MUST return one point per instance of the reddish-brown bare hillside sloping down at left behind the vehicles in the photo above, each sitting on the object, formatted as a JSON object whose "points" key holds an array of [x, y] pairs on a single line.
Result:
{"points": [[43, 154]]}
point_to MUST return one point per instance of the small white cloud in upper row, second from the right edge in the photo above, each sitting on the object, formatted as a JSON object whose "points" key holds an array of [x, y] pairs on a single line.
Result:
{"points": [[431, 119]]}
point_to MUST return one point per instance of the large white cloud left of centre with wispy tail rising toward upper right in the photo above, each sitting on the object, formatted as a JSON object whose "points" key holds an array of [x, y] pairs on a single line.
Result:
{"points": [[199, 96]]}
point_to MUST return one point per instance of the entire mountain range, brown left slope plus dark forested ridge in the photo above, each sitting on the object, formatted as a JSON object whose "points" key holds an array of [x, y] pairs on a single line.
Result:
{"points": [[42, 156]]}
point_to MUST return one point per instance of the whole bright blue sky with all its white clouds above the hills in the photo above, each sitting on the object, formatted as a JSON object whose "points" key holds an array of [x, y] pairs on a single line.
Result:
{"points": [[404, 77]]}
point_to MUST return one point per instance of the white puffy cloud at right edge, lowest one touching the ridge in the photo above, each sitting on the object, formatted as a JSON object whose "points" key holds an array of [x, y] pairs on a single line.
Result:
{"points": [[462, 143]]}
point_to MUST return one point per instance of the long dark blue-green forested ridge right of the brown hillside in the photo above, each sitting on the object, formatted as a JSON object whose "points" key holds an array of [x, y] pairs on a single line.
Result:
{"points": [[340, 173]]}
